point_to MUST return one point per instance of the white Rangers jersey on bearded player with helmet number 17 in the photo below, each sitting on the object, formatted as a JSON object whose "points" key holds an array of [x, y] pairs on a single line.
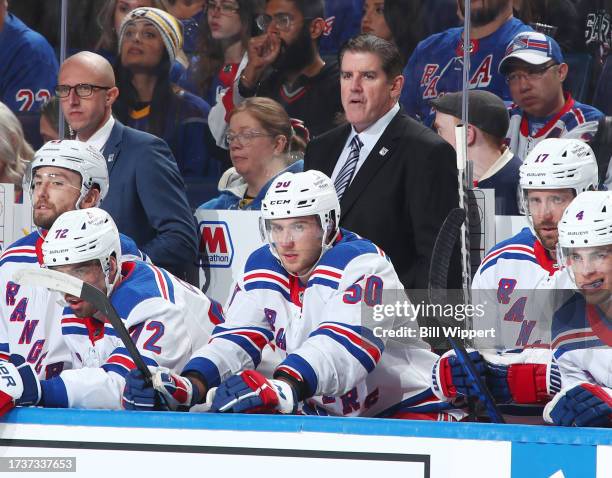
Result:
{"points": [[510, 283]]}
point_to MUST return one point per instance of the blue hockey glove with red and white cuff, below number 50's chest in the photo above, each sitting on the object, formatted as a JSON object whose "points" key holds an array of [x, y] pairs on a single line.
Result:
{"points": [[251, 392]]}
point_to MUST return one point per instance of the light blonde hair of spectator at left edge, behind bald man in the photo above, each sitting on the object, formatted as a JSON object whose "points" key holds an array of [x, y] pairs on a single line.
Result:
{"points": [[15, 151]]}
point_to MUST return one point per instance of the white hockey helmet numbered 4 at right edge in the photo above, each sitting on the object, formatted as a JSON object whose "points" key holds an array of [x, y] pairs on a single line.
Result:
{"points": [[586, 222]]}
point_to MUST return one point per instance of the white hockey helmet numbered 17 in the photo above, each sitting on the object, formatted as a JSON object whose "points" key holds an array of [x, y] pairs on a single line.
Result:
{"points": [[558, 163]]}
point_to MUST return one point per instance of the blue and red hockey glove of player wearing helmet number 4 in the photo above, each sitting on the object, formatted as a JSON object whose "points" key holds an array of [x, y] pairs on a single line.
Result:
{"points": [[583, 405]]}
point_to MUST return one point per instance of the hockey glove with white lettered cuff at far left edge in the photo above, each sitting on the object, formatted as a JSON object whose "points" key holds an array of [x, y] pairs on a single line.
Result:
{"points": [[19, 384]]}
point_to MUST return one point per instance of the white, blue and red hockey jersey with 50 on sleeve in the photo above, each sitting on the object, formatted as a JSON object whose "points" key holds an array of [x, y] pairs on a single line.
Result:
{"points": [[345, 369]]}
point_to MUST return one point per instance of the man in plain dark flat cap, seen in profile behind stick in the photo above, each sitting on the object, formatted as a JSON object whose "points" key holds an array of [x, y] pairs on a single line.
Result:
{"points": [[495, 167]]}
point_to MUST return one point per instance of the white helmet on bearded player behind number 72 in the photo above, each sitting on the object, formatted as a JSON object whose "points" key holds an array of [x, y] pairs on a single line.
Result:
{"points": [[76, 156]]}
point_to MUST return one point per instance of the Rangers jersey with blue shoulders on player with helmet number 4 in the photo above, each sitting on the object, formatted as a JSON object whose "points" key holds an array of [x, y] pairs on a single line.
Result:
{"points": [[582, 343]]}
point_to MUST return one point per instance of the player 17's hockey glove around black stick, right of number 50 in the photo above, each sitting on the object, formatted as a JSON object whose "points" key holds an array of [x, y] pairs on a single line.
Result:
{"points": [[450, 378]]}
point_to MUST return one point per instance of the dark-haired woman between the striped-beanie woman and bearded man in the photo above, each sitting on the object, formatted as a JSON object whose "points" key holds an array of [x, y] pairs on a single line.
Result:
{"points": [[222, 46]]}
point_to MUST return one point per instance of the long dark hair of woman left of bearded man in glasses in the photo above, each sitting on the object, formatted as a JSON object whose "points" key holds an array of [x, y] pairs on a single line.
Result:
{"points": [[211, 55]]}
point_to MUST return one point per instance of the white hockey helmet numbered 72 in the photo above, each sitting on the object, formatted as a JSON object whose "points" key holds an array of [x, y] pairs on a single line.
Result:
{"points": [[83, 235]]}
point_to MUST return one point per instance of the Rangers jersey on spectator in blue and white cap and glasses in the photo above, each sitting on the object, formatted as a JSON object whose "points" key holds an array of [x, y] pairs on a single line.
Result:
{"points": [[575, 120]]}
